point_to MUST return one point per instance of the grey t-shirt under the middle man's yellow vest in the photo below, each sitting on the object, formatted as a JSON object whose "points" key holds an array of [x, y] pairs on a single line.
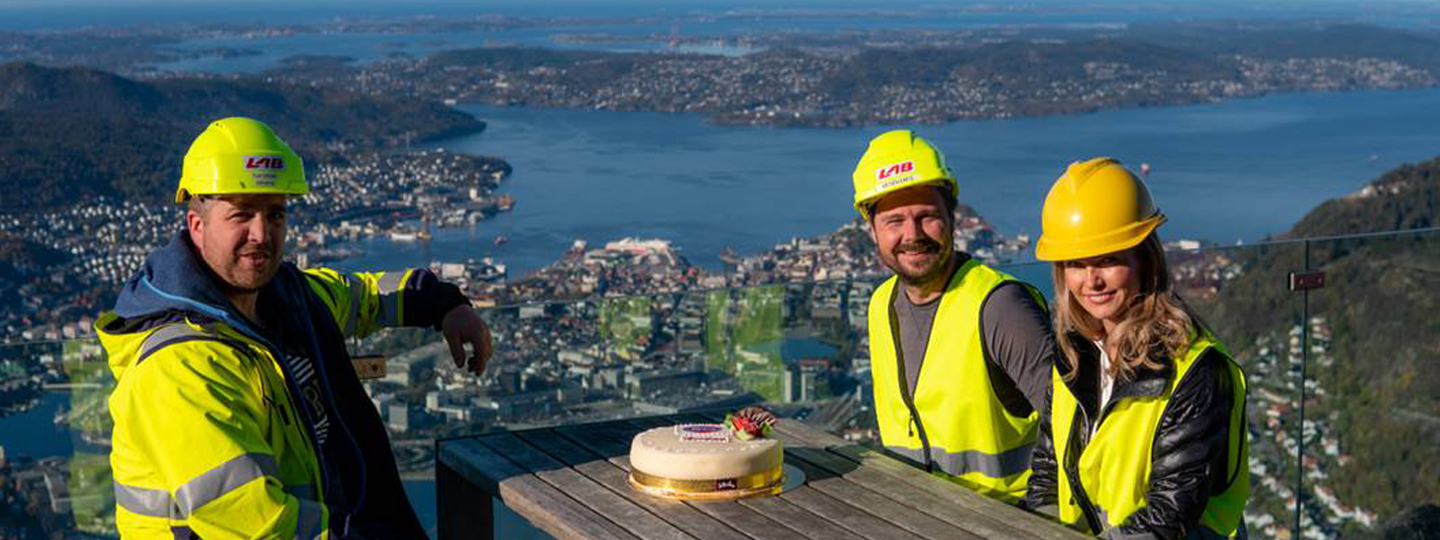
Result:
{"points": [[1016, 335]]}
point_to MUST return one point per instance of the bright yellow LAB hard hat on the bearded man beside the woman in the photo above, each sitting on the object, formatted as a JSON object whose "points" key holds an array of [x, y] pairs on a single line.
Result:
{"points": [[898, 161]]}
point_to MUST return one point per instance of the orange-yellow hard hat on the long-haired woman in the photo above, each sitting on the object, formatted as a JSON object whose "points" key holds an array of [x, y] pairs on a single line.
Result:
{"points": [[1097, 208]]}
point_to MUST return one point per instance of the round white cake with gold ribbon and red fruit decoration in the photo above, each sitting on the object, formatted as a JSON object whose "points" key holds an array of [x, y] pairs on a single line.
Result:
{"points": [[711, 462]]}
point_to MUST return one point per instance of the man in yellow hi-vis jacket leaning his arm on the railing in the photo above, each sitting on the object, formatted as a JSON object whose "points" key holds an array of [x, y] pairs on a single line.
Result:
{"points": [[238, 414]]}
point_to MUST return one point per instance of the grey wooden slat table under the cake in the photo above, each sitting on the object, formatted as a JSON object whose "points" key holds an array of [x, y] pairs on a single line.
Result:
{"points": [[571, 483]]}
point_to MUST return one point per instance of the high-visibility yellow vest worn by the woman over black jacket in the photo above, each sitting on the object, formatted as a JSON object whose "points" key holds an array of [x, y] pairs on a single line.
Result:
{"points": [[1115, 467]]}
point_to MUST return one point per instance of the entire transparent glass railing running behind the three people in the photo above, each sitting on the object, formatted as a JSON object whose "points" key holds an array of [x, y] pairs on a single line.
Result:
{"points": [[803, 349]]}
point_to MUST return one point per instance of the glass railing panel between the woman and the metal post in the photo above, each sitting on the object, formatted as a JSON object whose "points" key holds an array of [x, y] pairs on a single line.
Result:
{"points": [[1241, 294]]}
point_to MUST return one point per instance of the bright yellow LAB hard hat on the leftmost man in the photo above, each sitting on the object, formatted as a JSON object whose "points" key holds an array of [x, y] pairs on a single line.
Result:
{"points": [[240, 156]]}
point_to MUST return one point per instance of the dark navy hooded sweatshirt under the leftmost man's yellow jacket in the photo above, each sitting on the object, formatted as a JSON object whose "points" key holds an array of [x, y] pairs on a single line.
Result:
{"points": [[364, 489]]}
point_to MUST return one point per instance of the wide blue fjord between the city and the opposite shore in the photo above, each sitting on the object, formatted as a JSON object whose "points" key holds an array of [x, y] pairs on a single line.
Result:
{"points": [[1238, 171]]}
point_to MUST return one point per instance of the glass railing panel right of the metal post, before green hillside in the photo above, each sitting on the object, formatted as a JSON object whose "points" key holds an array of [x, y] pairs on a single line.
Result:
{"points": [[1373, 391]]}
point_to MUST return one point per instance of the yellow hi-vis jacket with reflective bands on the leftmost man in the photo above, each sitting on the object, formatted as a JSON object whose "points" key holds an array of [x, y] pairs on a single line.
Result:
{"points": [[208, 440]]}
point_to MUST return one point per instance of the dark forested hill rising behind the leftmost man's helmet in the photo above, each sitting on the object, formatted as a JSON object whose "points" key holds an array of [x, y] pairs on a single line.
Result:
{"points": [[73, 133]]}
